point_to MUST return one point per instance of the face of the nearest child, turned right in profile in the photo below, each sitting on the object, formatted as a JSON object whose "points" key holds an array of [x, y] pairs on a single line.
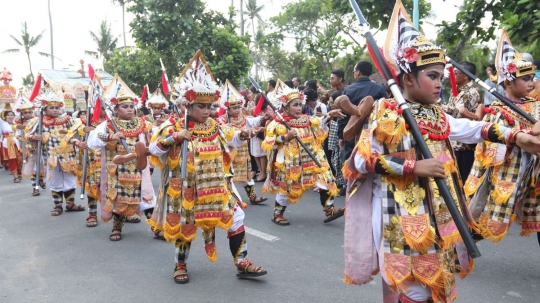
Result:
{"points": [[426, 88]]}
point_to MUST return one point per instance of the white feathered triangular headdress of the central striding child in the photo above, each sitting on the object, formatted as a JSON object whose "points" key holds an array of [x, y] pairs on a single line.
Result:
{"points": [[196, 83]]}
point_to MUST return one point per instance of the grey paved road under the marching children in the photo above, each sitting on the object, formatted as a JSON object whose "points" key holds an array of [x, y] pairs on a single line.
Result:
{"points": [[58, 259]]}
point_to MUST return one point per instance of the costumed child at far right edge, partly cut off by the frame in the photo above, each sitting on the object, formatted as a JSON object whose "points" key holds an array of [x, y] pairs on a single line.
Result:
{"points": [[504, 190]]}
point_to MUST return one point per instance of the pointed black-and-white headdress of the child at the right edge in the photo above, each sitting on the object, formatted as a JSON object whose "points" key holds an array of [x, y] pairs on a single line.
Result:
{"points": [[509, 62]]}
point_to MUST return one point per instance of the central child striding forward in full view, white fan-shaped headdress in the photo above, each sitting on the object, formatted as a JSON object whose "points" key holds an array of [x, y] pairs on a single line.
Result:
{"points": [[205, 198]]}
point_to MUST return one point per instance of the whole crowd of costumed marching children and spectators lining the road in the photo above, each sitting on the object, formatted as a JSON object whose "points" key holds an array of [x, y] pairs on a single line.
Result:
{"points": [[347, 140]]}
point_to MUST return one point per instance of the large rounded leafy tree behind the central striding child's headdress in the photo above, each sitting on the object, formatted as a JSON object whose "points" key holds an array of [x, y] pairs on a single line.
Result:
{"points": [[175, 29]]}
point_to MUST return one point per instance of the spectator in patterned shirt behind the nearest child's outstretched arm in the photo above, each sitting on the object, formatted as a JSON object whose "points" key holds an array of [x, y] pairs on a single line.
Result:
{"points": [[467, 104]]}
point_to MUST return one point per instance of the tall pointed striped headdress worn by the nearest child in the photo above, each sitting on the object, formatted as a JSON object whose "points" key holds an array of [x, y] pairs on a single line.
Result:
{"points": [[406, 48]]}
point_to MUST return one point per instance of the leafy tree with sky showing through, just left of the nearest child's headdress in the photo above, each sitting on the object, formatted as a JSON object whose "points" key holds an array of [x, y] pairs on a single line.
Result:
{"points": [[323, 30]]}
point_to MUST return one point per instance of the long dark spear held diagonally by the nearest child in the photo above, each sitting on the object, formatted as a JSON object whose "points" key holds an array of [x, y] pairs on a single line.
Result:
{"points": [[417, 135]]}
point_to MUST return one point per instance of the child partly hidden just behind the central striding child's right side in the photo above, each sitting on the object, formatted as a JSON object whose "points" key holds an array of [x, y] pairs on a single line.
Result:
{"points": [[231, 102]]}
